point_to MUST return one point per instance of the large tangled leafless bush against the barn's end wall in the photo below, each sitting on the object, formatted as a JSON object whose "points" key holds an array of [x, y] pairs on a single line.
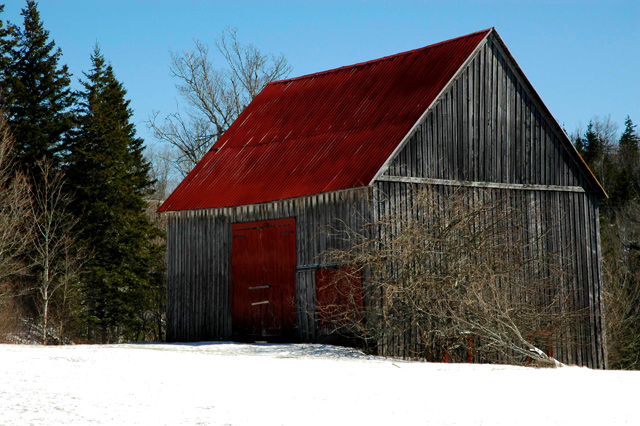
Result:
{"points": [[461, 275]]}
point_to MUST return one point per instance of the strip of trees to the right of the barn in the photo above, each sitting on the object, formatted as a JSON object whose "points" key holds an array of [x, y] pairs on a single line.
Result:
{"points": [[615, 161]]}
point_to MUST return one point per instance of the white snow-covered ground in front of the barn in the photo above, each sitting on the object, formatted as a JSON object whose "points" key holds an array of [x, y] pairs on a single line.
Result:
{"points": [[239, 384]]}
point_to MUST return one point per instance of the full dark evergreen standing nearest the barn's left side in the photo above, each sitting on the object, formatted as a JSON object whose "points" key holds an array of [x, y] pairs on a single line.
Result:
{"points": [[110, 177]]}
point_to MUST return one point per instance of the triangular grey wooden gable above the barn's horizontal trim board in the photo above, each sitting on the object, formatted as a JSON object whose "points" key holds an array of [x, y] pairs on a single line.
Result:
{"points": [[488, 126]]}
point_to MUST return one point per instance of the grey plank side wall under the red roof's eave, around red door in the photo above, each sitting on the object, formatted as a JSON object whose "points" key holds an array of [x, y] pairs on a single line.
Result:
{"points": [[199, 256]]}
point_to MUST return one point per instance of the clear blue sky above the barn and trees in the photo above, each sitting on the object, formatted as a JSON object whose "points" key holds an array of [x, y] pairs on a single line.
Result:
{"points": [[583, 57]]}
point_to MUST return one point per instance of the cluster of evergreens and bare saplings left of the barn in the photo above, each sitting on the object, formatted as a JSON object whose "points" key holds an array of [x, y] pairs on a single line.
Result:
{"points": [[79, 254]]}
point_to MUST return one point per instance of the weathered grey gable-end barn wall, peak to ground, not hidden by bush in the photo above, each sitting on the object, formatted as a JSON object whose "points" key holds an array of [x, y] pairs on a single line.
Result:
{"points": [[488, 130]]}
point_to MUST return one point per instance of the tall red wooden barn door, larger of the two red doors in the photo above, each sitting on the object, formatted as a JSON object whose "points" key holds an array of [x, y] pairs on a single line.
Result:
{"points": [[263, 261]]}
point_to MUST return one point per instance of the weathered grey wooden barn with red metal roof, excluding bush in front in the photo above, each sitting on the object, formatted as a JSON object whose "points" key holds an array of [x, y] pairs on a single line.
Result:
{"points": [[345, 144]]}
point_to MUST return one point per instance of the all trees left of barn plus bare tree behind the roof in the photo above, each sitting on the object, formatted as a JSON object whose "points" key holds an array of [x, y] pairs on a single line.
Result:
{"points": [[82, 251]]}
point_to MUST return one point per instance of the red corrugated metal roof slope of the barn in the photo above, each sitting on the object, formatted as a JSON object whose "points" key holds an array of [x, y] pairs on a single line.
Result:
{"points": [[321, 132]]}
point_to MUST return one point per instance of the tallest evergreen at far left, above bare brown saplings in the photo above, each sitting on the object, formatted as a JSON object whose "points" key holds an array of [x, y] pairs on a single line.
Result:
{"points": [[36, 91]]}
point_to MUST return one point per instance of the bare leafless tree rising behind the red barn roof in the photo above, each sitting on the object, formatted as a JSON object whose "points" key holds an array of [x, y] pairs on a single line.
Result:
{"points": [[214, 97]]}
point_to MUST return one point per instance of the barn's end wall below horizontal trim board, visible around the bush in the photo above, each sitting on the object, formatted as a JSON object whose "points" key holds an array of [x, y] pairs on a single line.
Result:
{"points": [[563, 224]]}
